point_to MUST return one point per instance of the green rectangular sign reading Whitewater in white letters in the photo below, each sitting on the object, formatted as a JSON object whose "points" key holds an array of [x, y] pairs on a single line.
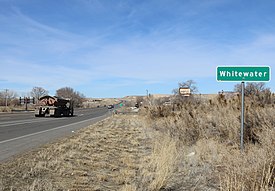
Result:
{"points": [[243, 73]]}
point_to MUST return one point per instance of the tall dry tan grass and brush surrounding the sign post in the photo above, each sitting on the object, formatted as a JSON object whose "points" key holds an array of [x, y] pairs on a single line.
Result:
{"points": [[207, 136]]}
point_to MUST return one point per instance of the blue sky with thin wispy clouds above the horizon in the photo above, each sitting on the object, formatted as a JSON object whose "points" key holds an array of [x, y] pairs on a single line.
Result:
{"points": [[116, 48]]}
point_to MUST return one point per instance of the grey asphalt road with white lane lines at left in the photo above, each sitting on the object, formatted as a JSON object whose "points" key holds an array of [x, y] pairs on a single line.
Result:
{"points": [[20, 132]]}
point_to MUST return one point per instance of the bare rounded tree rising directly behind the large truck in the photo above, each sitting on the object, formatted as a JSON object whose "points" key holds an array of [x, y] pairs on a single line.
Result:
{"points": [[69, 93]]}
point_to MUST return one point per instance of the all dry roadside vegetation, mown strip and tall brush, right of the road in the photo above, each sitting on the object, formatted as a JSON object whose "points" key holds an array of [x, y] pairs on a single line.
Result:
{"points": [[189, 146]]}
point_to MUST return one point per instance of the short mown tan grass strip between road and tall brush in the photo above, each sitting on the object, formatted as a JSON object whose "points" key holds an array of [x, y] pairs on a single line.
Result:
{"points": [[104, 156]]}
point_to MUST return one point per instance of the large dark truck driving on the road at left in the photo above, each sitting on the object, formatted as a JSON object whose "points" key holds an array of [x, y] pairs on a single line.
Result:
{"points": [[54, 107]]}
